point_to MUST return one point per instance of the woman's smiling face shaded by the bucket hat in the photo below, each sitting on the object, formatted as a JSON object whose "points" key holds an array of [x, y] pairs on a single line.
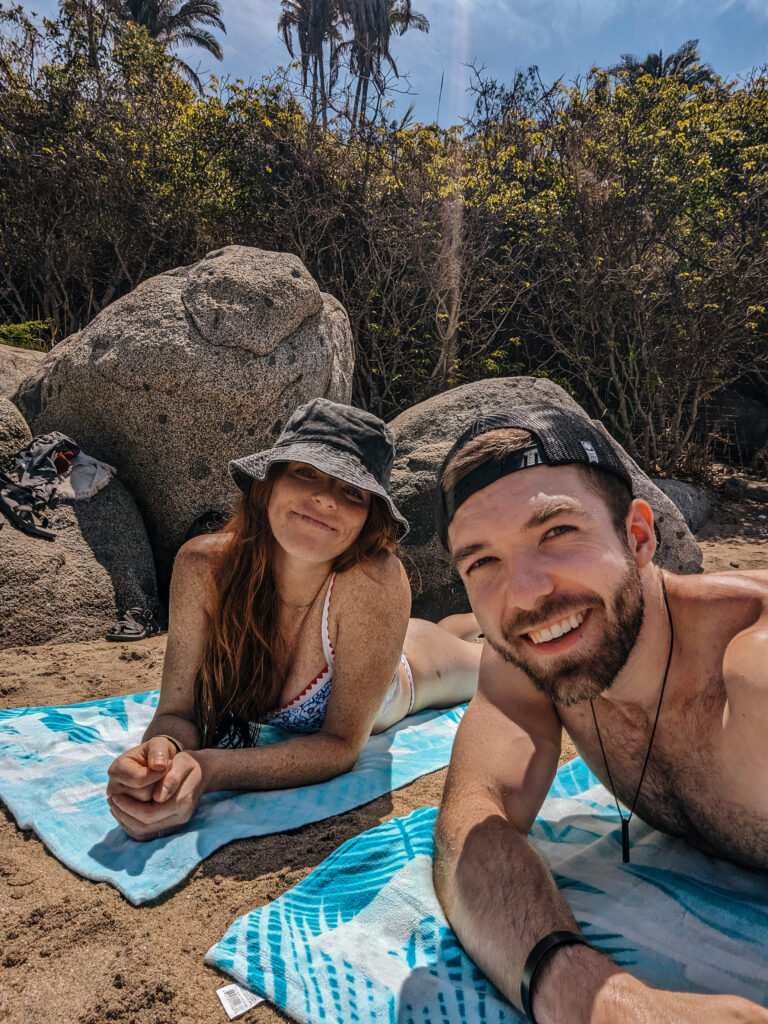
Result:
{"points": [[315, 517]]}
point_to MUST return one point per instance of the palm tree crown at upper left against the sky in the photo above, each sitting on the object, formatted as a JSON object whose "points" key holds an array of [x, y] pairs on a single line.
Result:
{"points": [[176, 23]]}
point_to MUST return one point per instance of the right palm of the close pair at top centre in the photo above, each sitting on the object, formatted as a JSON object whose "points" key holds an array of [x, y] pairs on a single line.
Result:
{"points": [[372, 23]]}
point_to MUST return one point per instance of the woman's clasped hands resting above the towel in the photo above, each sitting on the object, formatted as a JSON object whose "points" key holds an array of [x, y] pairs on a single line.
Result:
{"points": [[154, 788]]}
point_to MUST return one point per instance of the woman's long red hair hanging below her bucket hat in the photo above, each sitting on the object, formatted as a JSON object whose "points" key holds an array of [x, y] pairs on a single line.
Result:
{"points": [[239, 679]]}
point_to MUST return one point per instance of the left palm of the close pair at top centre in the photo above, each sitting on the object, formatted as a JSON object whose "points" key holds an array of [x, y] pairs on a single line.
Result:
{"points": [[315, 23]]}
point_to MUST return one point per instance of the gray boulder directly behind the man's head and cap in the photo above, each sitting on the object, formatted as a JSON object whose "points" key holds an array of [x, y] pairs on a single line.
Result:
{"points": [[423, 436]]}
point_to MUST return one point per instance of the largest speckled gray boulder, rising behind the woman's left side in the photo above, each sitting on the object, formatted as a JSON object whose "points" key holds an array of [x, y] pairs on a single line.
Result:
{"points": [[194, 368]]}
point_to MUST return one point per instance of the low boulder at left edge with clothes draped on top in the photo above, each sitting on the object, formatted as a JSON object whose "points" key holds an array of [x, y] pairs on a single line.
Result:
{"points": [[79, 585]]}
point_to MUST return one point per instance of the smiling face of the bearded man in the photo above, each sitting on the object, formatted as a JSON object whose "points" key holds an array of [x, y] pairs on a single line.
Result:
{"points": [[554, 588]]}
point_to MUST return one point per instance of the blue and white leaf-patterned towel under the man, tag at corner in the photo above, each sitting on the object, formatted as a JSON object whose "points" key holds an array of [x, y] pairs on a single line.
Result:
{"points": [[364, 938]]}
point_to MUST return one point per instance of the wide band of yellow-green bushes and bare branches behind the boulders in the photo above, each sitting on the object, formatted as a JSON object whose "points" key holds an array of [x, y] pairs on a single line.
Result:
{"points": [[610, 236]]}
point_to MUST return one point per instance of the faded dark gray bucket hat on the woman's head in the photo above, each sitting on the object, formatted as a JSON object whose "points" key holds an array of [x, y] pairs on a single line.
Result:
{"points": [[340, 441]]}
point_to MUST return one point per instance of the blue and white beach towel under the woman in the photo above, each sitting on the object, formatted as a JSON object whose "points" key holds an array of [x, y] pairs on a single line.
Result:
{"points": [[54, 765]]}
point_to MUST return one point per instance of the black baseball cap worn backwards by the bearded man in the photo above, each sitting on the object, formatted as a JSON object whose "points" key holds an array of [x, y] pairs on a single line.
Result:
{"points": [[562, 438]]}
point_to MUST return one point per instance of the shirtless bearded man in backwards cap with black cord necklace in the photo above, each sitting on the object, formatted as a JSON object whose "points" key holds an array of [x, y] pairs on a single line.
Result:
{"points": [[660, 680]]}
